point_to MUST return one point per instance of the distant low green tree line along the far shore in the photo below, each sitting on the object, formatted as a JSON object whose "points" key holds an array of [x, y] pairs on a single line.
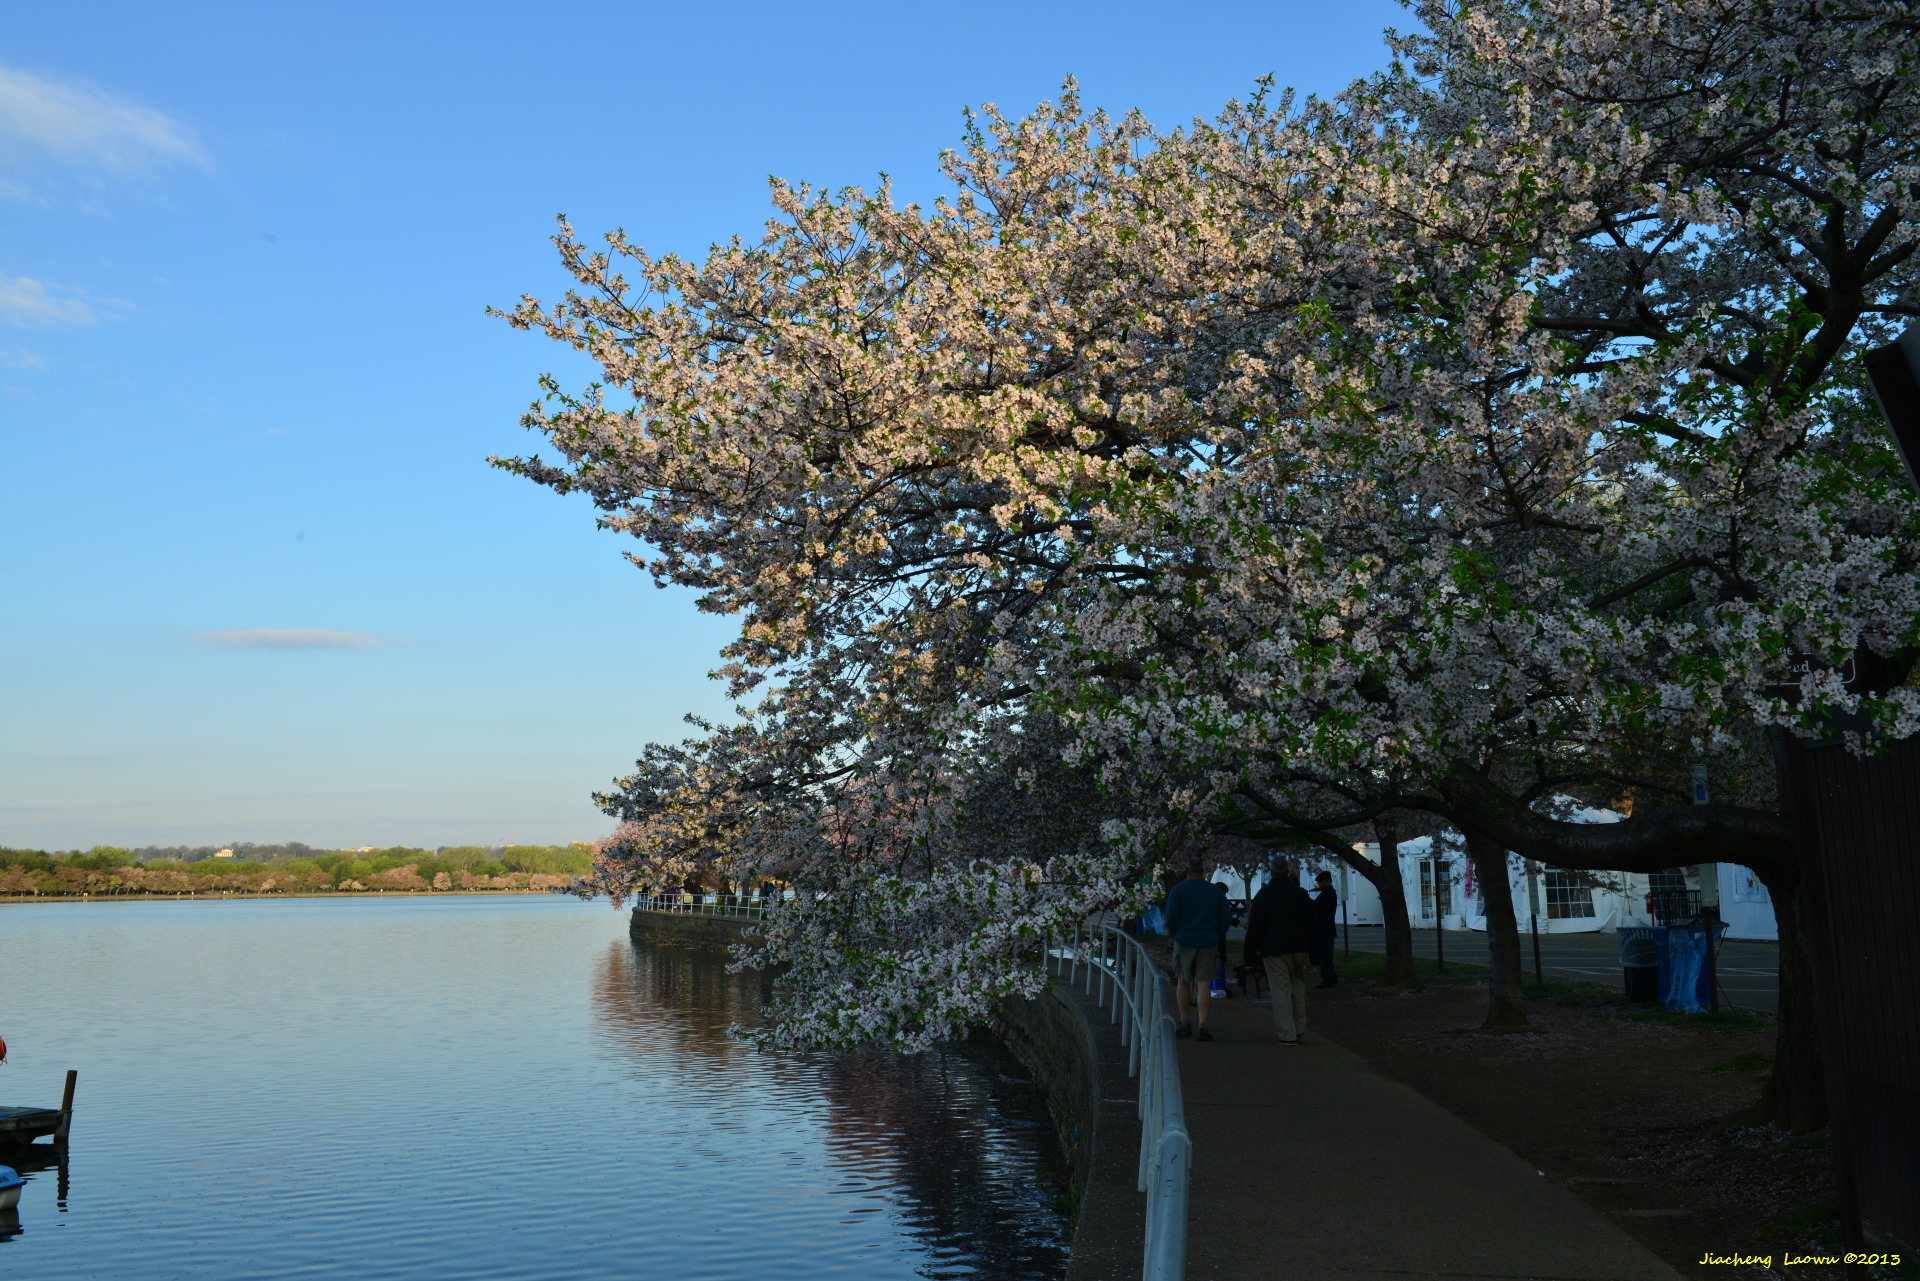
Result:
{"points": [[289, 869]]}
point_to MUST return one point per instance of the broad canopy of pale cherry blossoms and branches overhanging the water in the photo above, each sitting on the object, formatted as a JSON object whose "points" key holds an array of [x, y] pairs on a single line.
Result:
{"points": [[1485, 435]]}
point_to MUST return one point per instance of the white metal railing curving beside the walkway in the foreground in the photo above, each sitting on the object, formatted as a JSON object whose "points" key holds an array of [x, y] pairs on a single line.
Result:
{"points": [[1122, 977]]}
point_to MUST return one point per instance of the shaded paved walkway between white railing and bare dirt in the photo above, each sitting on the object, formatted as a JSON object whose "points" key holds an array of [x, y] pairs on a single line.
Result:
{"points": [[1312, 1165]]}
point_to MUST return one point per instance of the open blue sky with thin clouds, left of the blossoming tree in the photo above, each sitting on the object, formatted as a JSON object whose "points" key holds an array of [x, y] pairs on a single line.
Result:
{"points": [[256, 577]]}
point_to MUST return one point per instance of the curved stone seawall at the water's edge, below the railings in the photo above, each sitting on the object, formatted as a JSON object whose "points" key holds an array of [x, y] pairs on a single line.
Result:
{"points": [[1080, 1067]]}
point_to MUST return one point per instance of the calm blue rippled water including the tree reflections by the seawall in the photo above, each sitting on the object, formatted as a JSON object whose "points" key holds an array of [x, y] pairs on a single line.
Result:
{"points": [[479, 1088]]}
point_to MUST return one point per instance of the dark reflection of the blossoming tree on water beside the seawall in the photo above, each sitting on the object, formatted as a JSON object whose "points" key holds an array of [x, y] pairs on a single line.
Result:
{"points": [[953, 1149]]}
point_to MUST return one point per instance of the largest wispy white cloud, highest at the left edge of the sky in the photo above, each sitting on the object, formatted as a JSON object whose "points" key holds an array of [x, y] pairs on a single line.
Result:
{"points": [[84, 126]]}
